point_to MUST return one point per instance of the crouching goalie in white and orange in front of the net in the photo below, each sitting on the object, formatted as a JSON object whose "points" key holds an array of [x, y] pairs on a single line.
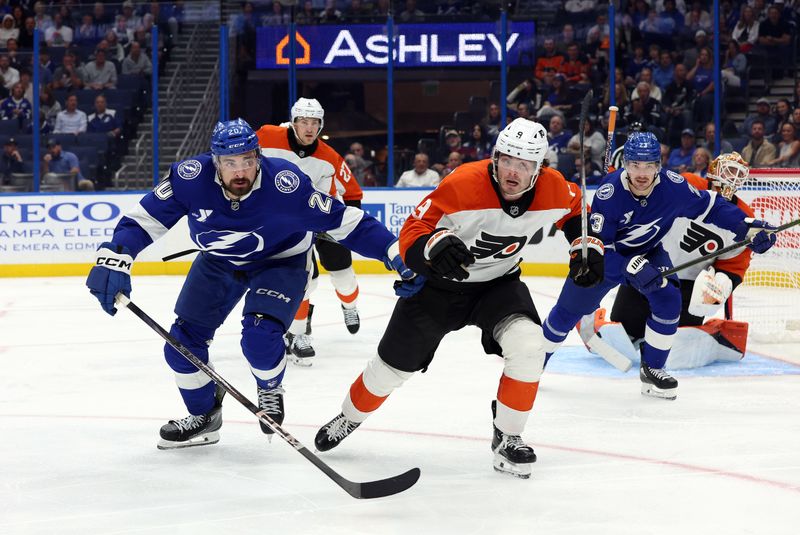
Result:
{"points": [[705, 287]]}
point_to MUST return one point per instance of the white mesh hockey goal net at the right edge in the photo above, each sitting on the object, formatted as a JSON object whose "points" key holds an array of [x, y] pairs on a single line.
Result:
{"points": [[769, 297]]}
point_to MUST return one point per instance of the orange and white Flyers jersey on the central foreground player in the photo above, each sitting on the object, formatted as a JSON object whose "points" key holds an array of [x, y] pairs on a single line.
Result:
{"points": [[467, 203]]}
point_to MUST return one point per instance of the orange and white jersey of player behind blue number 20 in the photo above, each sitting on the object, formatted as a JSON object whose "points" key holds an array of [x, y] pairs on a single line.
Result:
{"points": [[323, 165]]}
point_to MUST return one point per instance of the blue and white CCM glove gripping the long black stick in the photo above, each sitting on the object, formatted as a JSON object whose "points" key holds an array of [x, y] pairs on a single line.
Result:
{"points": [[110, 275]]}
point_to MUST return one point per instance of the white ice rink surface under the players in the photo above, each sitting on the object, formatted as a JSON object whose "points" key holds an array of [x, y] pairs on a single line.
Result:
{"points": [[82, 396]]}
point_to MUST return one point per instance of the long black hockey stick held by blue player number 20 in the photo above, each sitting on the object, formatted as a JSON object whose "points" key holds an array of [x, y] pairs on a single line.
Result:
{"points": [[369, 489]]}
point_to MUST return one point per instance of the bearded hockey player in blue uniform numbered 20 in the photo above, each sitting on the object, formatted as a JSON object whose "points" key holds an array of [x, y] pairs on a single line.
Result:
{"points": [[253, 220]]}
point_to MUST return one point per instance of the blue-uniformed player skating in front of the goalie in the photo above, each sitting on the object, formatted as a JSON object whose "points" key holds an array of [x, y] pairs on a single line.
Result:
{"points": [[632, 211]]}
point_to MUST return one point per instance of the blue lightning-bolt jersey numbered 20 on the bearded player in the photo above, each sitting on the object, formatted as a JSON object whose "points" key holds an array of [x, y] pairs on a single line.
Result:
{"points": [[276, 220]]}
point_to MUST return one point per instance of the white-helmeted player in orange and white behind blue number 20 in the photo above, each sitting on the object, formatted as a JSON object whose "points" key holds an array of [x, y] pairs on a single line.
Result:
{"points": [[299, 143]]}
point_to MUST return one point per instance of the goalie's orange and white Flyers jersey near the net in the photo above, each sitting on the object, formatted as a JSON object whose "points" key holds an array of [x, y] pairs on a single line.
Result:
{"points": [[689, 239]]}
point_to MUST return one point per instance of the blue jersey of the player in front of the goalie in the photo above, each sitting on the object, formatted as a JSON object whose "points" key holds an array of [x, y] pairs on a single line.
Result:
{"points": [[633, 225]]}
